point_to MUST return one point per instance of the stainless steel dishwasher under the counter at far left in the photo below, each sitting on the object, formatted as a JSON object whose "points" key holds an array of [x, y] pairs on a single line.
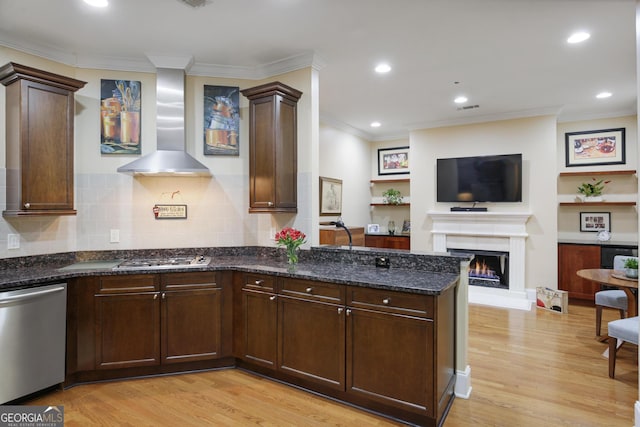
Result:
{"points": [[32, 340]]}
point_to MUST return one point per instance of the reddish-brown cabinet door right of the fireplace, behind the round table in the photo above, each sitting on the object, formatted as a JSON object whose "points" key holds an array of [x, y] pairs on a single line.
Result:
{"points": [[572, 258]]}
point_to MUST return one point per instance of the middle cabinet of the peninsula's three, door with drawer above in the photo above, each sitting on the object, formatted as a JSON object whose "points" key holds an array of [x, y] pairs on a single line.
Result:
{"points": [[311, 332]]}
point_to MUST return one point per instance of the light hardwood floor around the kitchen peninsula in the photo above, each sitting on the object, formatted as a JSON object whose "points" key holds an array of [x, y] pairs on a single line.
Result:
{"points": [[534, 368]]}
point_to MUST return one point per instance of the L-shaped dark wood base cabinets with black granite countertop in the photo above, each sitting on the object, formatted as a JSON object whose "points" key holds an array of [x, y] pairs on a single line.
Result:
{"points": [[382, 339]]}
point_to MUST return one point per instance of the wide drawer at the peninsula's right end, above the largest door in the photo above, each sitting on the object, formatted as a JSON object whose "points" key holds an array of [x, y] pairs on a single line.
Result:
{"points": [[390, 301]]}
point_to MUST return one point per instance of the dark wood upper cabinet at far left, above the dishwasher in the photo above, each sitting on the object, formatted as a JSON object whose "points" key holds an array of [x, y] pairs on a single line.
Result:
{"points": [[39, 144]]}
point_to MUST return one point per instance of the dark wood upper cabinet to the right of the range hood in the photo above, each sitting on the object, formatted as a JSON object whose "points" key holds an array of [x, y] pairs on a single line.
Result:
{"points": [[273, 159]]}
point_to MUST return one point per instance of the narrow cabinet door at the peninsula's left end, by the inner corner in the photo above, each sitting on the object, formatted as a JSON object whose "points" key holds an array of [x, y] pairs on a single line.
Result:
{"points": [[260, 310]]}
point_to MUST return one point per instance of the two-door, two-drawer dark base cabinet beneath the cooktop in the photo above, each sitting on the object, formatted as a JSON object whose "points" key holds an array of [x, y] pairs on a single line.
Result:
{"points": [[143, 324]]}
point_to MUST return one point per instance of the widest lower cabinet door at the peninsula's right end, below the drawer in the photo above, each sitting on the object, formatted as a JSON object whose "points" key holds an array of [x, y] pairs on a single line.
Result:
{"points": [[379, 367]]}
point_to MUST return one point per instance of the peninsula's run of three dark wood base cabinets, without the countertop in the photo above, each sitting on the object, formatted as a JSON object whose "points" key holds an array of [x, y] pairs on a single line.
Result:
{"points": [[387, 351]]}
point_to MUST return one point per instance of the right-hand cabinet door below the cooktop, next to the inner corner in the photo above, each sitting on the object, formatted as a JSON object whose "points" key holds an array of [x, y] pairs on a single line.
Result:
{"points": [[191, 325]]}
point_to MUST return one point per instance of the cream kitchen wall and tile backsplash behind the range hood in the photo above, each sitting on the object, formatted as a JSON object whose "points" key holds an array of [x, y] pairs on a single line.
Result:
{"points": [[217, 207]]}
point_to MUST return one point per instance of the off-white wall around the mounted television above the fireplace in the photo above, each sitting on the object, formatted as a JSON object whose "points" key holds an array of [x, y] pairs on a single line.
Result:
{"points": [[535, 138]]}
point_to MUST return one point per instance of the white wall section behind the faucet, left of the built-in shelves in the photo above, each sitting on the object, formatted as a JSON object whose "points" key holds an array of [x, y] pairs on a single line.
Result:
{"points": [[346, 157]]}
